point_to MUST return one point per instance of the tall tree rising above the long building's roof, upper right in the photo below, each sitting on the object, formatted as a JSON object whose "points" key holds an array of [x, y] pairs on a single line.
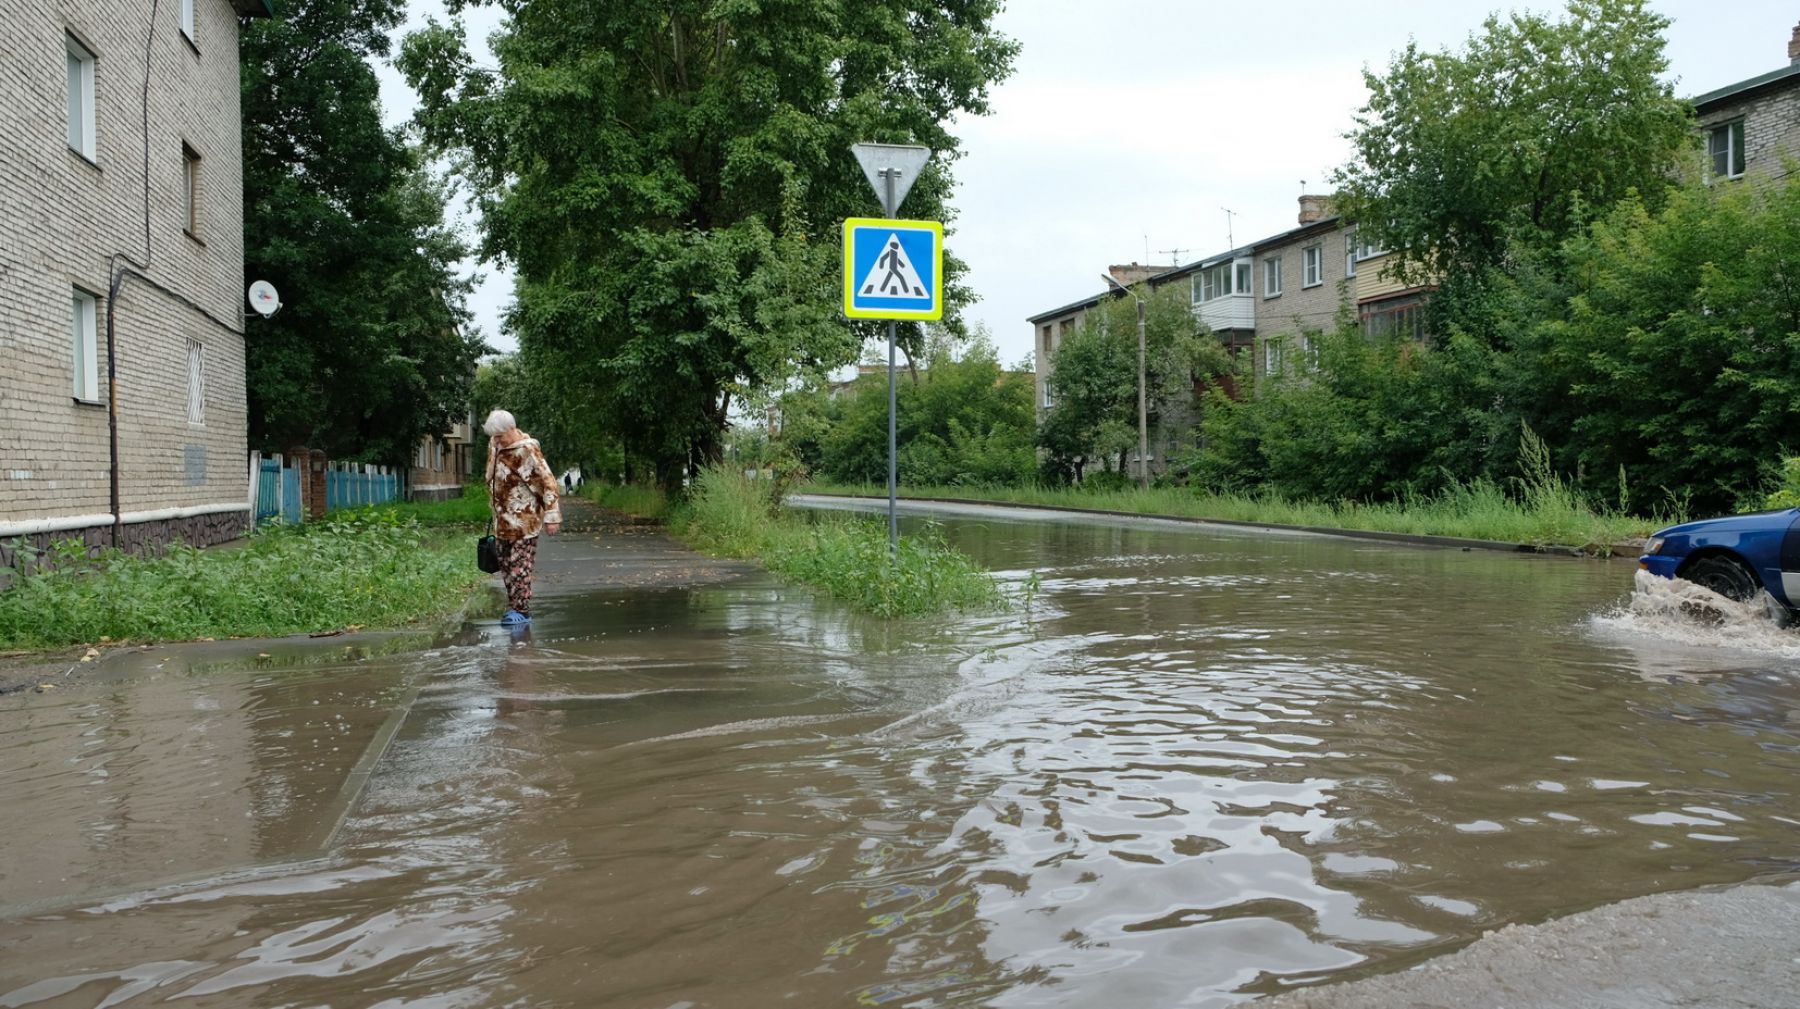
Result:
{"points": [[1525, 136]]}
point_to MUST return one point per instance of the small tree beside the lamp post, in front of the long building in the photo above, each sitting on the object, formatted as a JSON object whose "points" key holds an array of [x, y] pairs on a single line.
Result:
{"points": [[1095, 379]]}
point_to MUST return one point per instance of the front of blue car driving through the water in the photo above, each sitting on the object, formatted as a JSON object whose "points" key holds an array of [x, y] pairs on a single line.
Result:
{"points": [[1734, 557]]}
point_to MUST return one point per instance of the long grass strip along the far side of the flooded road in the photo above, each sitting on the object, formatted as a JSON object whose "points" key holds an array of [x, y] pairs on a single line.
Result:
{"points": [[1543, 515]]}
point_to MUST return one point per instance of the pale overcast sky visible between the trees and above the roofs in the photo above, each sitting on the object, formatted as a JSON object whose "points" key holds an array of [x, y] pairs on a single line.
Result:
{"points": [[1135, 125]]}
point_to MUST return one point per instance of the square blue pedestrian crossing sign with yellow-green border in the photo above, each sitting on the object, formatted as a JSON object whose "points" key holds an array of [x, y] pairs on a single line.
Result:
{"points": [[894, 269]]}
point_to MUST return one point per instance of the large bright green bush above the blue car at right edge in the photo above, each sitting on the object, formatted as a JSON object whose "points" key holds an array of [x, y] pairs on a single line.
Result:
{"points": [[1678, 350]]}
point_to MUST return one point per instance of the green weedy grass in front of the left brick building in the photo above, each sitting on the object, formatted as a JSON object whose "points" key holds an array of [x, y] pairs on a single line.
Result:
{"points": [[370, 567]]}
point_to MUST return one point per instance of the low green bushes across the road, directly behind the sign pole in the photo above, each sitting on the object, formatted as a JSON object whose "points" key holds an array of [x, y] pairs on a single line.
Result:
{"points": [[962, 420]]}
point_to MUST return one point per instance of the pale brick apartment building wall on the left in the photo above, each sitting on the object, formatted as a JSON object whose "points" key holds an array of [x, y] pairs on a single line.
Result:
{"points": [[121, 274]]}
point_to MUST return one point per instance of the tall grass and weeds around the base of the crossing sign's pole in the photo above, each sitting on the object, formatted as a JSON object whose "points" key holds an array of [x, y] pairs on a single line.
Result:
{"points": [[843, 557]]}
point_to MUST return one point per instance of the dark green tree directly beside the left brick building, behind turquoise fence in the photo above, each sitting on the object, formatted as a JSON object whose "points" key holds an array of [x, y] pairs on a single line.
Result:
{"points": [[370, 352]]}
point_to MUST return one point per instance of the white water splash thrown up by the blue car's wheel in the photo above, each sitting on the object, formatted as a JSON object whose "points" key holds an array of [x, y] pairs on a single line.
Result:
{"points": [[1677, 612]]}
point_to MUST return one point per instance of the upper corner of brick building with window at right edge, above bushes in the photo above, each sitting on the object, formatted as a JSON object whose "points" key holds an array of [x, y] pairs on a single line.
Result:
{"points": [[1754, 127]]}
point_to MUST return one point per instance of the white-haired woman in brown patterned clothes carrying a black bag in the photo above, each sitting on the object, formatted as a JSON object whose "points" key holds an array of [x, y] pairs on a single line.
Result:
{"points": [[523, 496]]}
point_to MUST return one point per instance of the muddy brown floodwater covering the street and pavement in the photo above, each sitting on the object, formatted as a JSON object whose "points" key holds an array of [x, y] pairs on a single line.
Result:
{"points": [[1198, 767]]}
